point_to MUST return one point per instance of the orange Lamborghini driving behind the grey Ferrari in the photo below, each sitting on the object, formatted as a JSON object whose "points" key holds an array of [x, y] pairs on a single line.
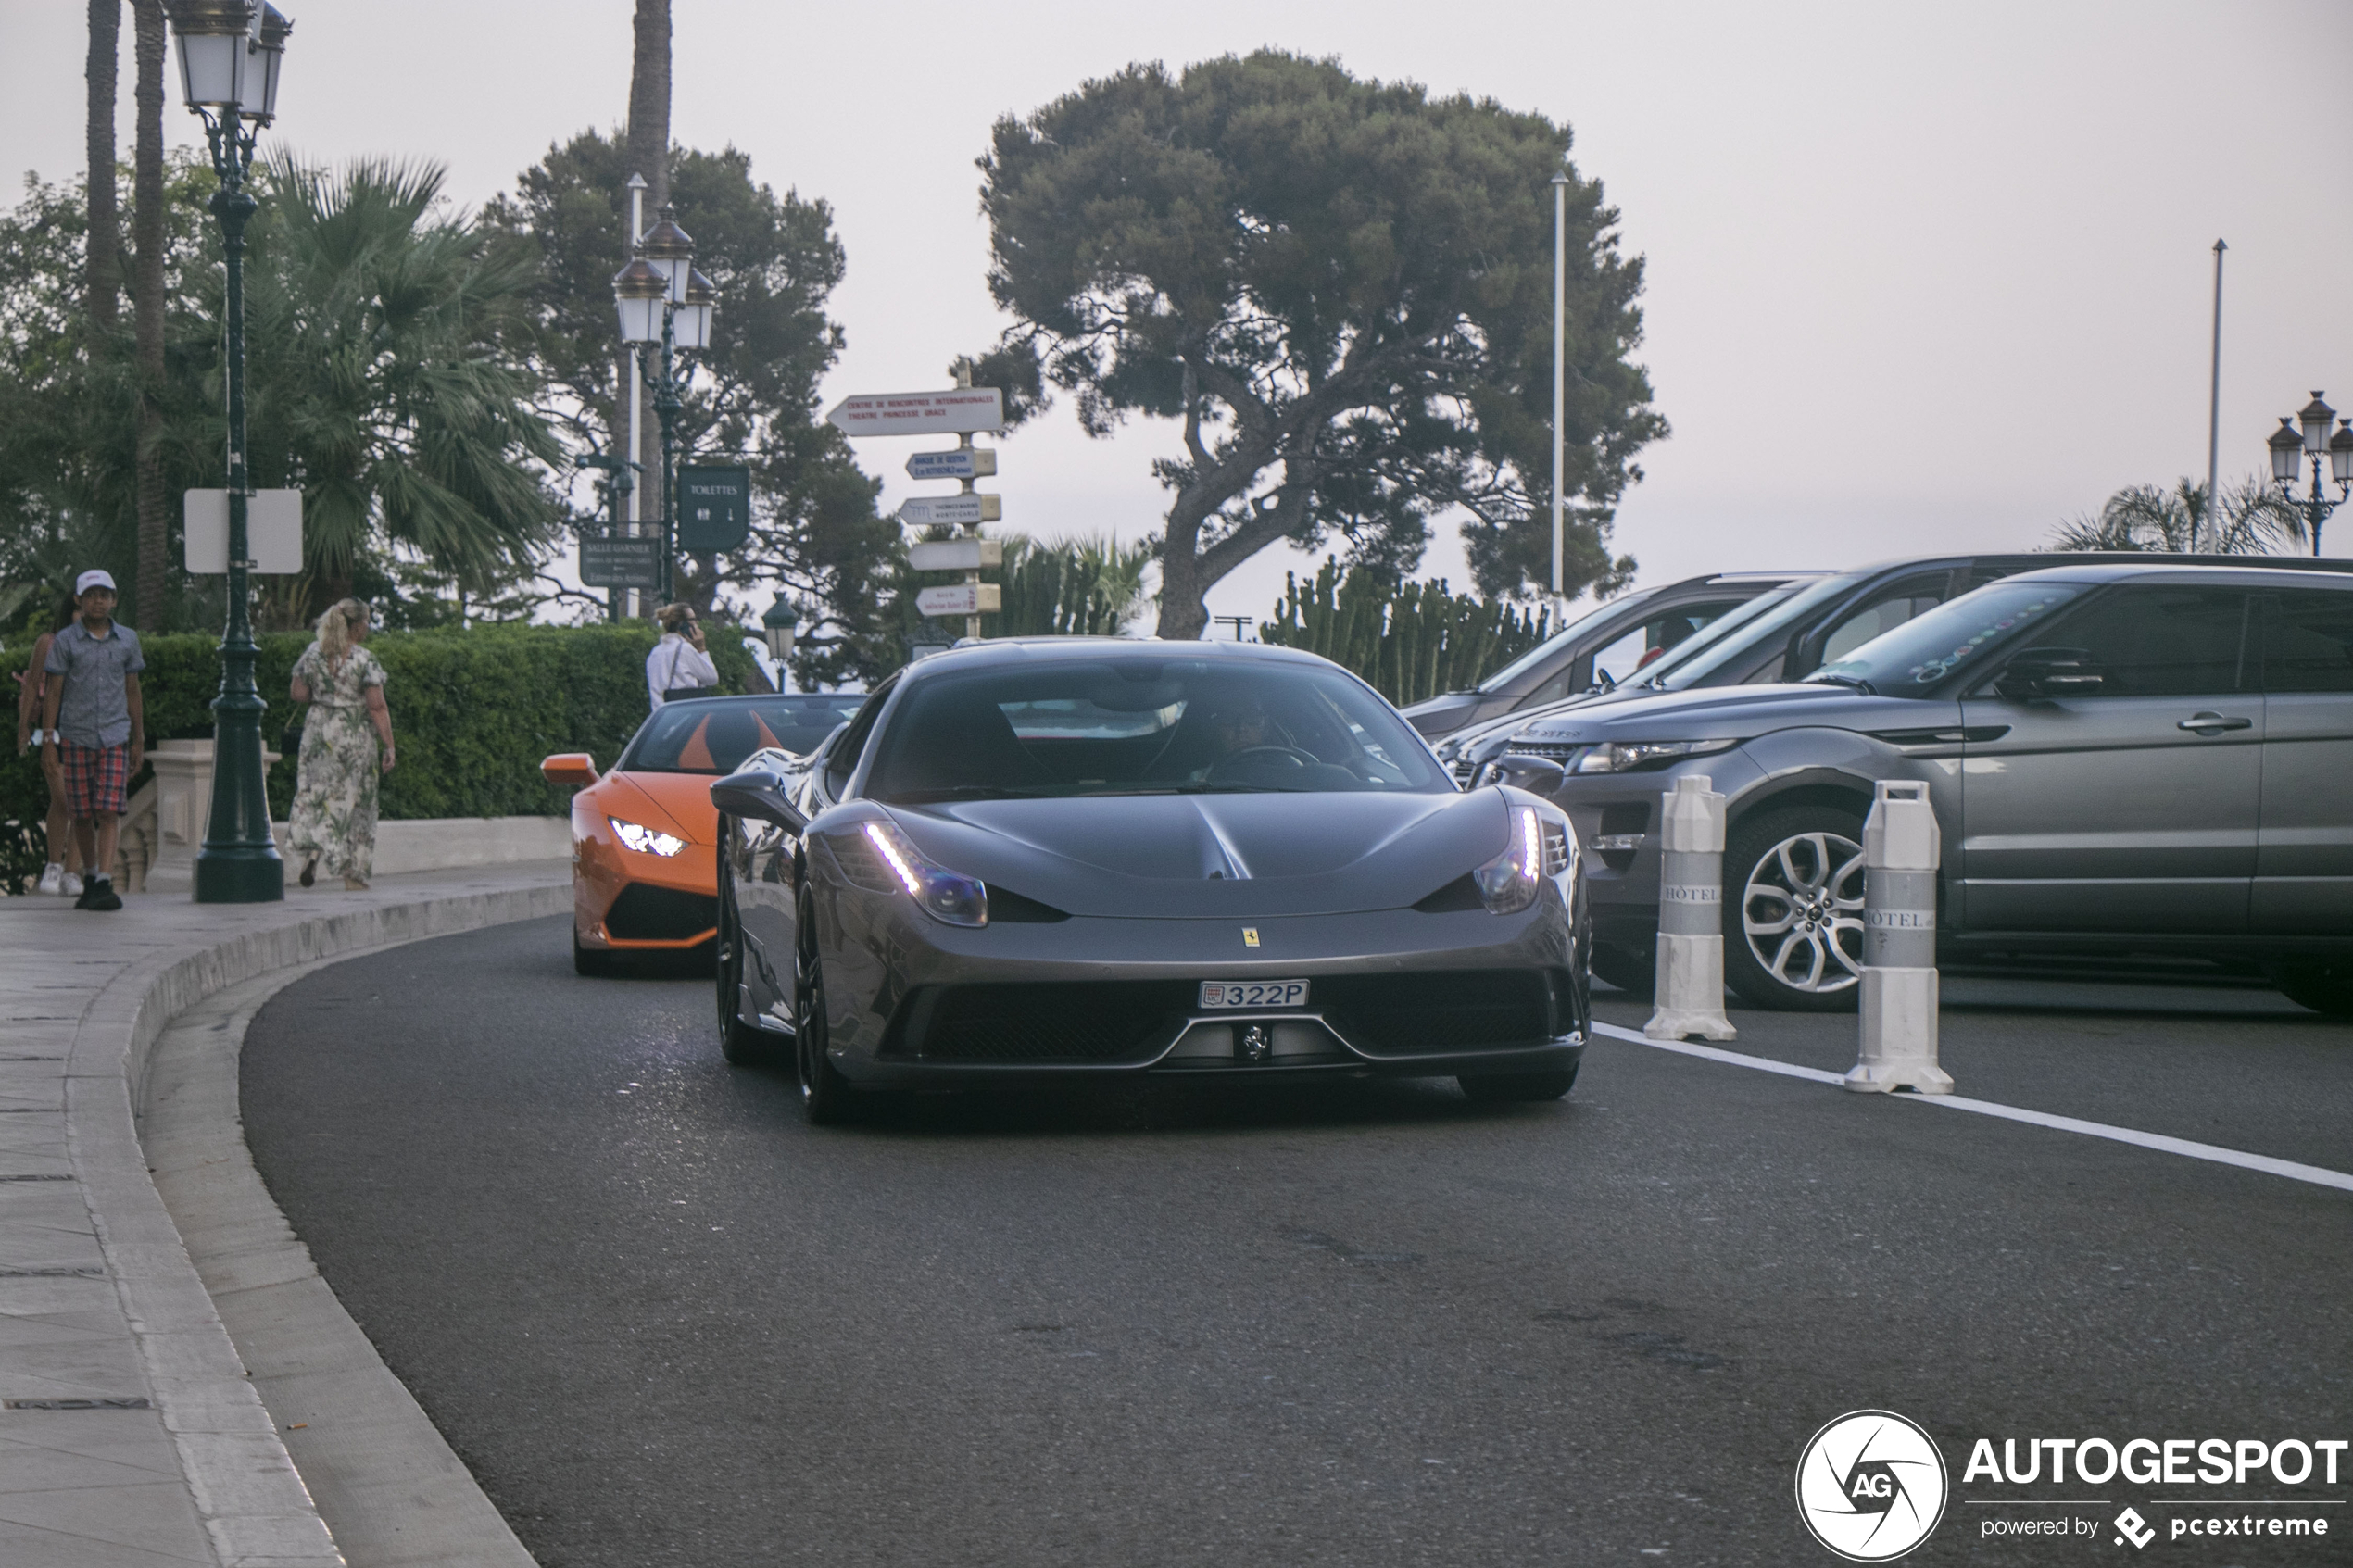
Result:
{"points": [[644, 871]]}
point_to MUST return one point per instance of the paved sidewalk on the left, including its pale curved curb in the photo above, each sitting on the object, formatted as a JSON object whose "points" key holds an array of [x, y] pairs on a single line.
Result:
{"points": [[128, 1428]]}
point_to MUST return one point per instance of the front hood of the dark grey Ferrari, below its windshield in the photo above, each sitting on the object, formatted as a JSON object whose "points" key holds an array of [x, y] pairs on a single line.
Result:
{"points": [[1215, 857]]}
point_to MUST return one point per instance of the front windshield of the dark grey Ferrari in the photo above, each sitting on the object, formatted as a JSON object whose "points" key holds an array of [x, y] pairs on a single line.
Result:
{"points": [[1145, 725]]}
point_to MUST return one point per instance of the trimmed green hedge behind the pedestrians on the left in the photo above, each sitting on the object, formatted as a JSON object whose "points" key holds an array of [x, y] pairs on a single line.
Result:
{"points": [[474, 711]]}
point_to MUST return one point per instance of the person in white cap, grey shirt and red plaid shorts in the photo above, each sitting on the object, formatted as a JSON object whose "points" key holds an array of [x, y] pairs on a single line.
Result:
{"points": [[95, 728]]}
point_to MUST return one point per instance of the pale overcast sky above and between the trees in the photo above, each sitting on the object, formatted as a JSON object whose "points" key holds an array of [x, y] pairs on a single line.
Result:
{"points": [[1919, 276]]}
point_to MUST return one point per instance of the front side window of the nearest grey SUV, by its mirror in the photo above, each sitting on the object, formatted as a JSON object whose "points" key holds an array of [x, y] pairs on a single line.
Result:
{"points": [[2149, 641]]}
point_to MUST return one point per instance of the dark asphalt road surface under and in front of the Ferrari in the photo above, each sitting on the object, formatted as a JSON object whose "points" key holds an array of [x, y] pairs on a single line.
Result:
{"points": [[1359, 1325]]}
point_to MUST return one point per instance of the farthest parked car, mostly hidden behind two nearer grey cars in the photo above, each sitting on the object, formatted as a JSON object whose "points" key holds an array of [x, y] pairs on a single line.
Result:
{"points": [[1597, 650]]}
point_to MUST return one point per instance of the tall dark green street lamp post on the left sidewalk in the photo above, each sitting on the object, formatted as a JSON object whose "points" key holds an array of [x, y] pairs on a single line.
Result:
{"points": [[229, 55]]}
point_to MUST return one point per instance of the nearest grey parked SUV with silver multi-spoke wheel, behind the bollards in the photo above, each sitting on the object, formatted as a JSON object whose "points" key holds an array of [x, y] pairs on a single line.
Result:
{"points": [[2126, 758]]}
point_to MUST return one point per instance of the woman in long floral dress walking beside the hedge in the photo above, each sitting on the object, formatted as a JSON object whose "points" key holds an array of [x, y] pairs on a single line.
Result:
{"points": [[335, 782]]}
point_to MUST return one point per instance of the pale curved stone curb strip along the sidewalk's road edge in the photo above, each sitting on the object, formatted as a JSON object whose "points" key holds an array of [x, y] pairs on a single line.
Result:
{"points": [[255, 1506]]}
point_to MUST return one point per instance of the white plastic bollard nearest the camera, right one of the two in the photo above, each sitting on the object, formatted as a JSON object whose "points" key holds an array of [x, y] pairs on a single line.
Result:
{"points": [[1900, 946]]}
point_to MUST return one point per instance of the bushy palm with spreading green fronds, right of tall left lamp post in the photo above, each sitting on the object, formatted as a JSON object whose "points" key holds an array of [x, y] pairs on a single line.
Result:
{"points": [[380, 382]]}
